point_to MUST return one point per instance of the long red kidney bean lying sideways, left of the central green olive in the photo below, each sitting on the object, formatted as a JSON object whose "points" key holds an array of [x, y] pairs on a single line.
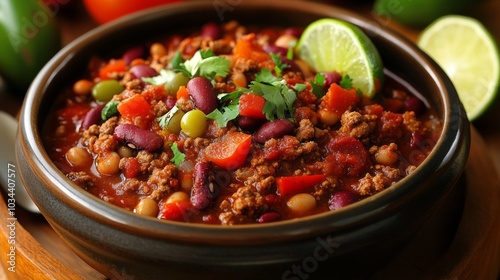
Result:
{"points": [[140, 138]]}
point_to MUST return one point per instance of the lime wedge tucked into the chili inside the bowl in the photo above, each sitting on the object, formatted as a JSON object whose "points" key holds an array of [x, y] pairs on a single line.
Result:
{"points": [[334, 45]]}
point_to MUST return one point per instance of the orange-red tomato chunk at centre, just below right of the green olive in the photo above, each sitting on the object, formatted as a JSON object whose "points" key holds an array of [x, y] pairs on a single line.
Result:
{"points": [[231, 152]]}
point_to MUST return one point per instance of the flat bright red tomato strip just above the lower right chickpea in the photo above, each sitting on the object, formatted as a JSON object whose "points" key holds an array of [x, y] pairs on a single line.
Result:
{"points": [[297, 184]]}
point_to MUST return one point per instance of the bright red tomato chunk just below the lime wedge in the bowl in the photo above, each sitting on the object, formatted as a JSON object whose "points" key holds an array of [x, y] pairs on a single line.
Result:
{"points": [[338, 99]]}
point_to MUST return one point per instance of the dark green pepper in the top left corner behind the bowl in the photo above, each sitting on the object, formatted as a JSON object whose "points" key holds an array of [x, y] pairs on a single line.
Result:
{"points": [[28, 39]]}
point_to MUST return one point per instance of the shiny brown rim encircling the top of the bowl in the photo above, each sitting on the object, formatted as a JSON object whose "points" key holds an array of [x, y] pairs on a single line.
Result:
{"points": [[106, 213]]}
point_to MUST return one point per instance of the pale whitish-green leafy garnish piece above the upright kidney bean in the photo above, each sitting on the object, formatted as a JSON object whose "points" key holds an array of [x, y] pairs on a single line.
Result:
{"points": [[206, 64]]}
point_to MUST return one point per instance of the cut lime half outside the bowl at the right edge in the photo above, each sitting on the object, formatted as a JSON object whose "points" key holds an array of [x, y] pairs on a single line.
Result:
{"points": [[467, 52]]}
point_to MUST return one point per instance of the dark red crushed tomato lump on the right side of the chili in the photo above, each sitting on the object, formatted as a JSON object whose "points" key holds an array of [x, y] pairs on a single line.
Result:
{"points": [[347, 157]]}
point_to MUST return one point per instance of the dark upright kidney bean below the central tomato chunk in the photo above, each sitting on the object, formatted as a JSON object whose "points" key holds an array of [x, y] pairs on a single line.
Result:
{"points": [[204, 190]]}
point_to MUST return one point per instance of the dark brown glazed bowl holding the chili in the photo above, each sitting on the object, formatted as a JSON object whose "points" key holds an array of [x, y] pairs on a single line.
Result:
{"points": [[352, 242]]}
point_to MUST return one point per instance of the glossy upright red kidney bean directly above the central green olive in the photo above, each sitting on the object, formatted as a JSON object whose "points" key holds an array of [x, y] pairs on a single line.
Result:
{"points": [[202, 93]]}
